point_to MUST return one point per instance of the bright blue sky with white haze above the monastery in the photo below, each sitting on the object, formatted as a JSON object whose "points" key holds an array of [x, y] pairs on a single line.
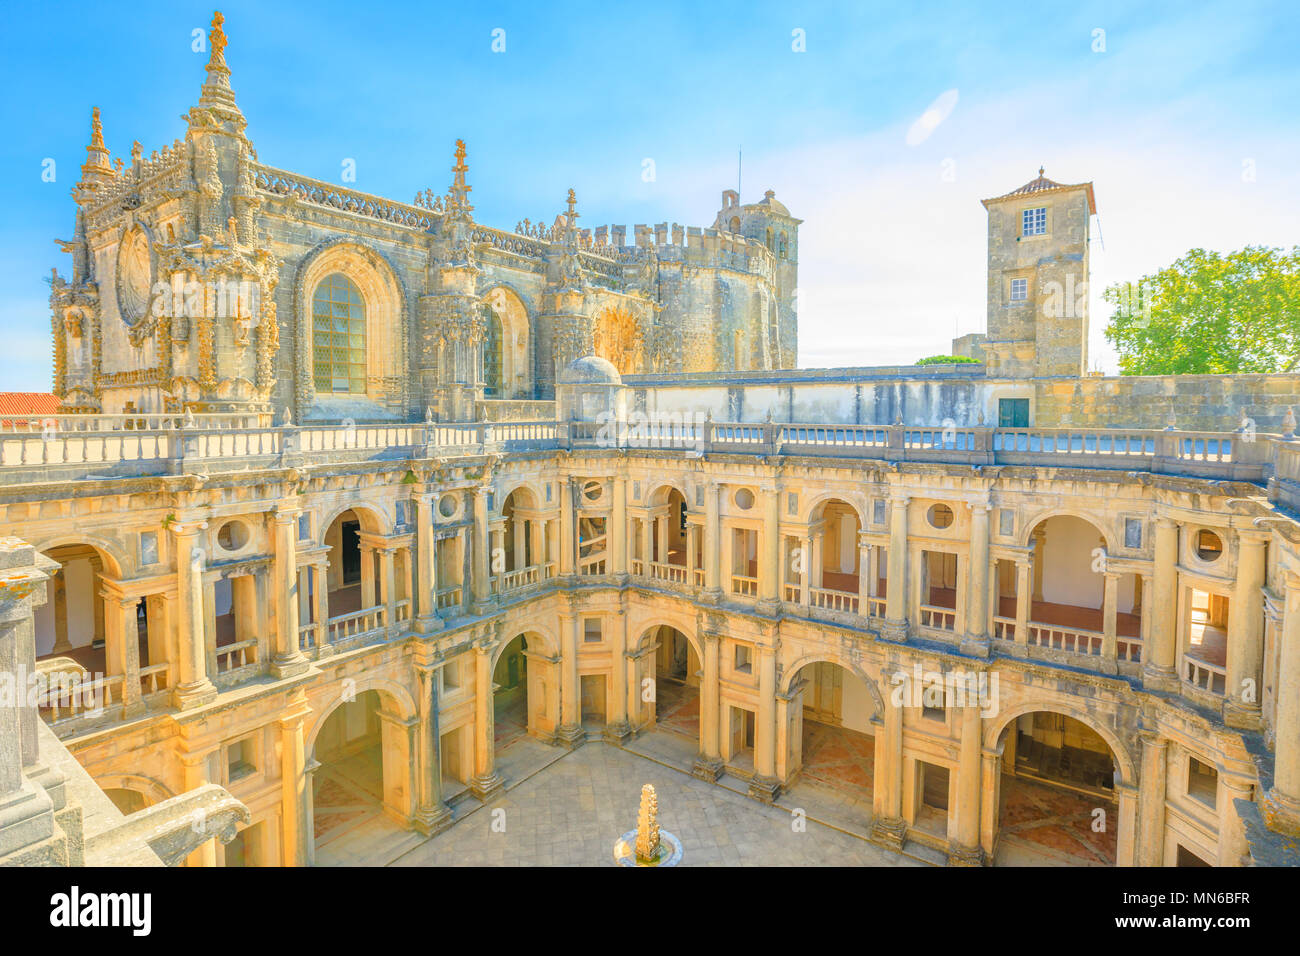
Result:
{"points": [[1165, 120]]}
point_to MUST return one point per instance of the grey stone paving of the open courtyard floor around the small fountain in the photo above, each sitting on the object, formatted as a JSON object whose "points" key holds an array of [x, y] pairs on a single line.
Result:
{"points": [[571, 814]]}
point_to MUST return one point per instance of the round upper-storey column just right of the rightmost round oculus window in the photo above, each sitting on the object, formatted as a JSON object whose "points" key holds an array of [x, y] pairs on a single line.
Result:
{"points": [[1246, 635]]}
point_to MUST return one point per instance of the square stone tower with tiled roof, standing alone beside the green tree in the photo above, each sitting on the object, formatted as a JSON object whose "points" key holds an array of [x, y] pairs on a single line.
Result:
{"points": [[1038, 280]]}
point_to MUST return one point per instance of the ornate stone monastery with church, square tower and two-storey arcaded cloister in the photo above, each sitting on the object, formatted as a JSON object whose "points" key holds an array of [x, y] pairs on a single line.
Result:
{"points": [[349, 492]]}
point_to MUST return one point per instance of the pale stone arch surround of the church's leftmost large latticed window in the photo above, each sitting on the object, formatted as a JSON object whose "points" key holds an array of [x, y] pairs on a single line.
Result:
{"points": [[387, 305]]}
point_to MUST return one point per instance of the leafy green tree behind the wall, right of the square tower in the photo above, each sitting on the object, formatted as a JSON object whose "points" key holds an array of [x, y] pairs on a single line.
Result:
{"points": [[1211, 314]]}
